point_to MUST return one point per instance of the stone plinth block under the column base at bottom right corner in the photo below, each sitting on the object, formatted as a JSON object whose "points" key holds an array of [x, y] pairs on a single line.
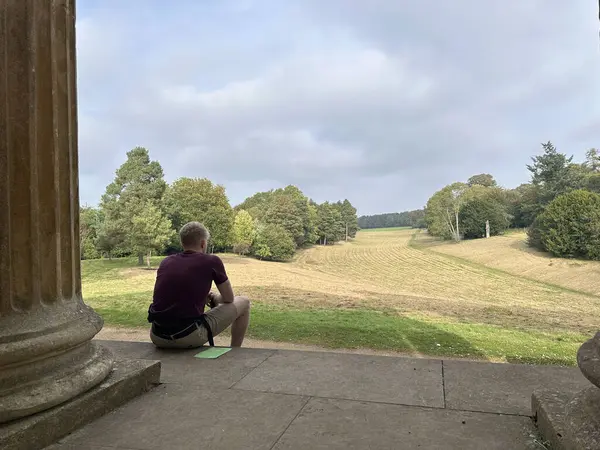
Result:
{"points": [[568, 420]]}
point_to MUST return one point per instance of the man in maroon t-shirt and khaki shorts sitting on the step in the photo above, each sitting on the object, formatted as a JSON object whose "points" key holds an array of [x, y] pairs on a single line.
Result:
{"points": [[183, 289]]}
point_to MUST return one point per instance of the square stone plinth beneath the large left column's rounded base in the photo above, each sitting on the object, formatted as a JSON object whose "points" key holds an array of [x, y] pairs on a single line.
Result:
{"points": [[127, 380]]}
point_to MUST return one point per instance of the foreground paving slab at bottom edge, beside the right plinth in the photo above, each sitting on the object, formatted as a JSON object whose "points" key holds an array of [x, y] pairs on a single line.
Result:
{"points": [[346, 425]]}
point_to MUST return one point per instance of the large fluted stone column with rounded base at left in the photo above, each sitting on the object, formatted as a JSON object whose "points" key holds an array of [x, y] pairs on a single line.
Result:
{"points": [[46, 353]]}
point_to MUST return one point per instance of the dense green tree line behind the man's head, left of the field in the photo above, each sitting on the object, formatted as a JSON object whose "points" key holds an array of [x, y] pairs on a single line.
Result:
{"points": [[139, 214]]}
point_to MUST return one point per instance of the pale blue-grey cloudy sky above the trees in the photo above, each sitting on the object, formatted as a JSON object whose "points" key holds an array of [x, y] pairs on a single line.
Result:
{"points": [[381, 101]]}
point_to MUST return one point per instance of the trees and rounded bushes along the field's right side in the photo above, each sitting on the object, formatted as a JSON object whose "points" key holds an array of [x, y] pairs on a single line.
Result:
{"points": [[559, 206]]}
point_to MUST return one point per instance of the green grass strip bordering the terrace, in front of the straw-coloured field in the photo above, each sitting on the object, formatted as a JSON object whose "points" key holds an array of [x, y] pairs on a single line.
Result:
{"points": [[376, 330]]}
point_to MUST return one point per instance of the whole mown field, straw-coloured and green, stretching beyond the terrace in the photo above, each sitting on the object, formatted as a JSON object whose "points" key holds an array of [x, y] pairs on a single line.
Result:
{"points": [[396, 289]]}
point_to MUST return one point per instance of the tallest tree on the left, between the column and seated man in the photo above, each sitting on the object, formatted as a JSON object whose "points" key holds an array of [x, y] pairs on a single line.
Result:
{"points": [[138, 182]]}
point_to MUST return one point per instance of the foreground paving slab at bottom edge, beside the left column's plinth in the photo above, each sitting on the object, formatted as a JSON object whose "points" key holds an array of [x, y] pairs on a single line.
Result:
{"points": [[173, 416]]}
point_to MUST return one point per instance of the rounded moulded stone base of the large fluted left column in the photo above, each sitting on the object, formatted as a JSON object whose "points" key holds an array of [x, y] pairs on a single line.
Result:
{"points": [[47, 358]]}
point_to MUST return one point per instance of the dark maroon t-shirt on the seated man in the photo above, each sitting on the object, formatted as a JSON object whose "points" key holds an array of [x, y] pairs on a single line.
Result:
{"points": [[183, 282]]}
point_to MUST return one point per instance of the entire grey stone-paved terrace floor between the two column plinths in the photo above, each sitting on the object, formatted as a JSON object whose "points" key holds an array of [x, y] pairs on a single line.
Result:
{"points": [[274, 399]]}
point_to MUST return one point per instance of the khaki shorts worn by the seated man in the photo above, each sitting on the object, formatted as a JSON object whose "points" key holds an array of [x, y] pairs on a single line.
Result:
{"points": [[219, 318]]}
